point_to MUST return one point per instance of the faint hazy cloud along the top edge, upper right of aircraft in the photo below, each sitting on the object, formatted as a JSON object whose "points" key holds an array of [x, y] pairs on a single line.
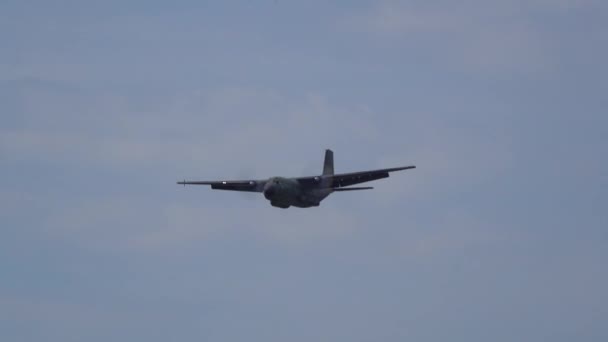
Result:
{"points": [[488, 37]]}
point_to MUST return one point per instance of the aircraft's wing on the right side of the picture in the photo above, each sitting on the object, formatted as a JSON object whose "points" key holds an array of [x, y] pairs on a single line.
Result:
{"points": [[352, 178]]}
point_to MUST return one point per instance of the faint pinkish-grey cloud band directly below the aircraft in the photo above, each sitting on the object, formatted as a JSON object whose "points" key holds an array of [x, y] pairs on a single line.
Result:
{"points": [[136, 224]]}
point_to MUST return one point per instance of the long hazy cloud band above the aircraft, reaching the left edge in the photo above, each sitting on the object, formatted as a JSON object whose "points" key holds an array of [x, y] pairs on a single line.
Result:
{"points": [[193, 127]]}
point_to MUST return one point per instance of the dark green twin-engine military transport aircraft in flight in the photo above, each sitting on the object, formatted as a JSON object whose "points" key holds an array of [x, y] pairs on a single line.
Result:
{"points": [[303, 192]]}
